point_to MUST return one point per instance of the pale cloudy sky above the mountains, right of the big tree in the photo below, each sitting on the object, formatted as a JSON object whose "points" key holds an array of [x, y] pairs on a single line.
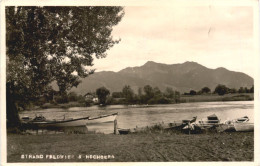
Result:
{"points": [[213, 36]]}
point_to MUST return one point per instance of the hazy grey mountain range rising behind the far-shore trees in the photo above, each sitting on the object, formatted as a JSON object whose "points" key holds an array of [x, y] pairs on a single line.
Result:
{"points": [[181, 77]]}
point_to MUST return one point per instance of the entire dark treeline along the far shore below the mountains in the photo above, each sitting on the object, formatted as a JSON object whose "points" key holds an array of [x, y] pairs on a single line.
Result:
{"points": [[144, 95]]}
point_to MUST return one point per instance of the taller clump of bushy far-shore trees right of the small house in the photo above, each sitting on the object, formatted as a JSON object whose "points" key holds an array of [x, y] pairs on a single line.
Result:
{"points": [[145, 95]]}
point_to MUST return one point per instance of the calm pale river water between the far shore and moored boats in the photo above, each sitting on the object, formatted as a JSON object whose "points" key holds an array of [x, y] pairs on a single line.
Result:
{"points": [[132, 116]]}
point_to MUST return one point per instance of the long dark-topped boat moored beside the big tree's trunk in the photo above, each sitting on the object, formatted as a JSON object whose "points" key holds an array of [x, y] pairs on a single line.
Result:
{"points": [[42, 122]]}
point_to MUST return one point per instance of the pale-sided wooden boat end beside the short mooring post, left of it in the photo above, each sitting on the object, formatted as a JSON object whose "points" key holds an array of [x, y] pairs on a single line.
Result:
{"points": [[102, 119]]}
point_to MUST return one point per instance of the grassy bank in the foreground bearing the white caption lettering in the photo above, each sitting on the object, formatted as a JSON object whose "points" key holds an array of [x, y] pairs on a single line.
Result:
{"points": [[165, 146]]}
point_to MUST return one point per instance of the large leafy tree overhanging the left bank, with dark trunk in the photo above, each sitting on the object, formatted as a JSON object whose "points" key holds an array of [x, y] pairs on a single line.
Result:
{"points": [[46, 44]]}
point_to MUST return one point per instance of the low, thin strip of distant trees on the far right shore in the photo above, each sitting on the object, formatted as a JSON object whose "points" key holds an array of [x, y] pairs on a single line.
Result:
{"points": [[221, 90]]}
